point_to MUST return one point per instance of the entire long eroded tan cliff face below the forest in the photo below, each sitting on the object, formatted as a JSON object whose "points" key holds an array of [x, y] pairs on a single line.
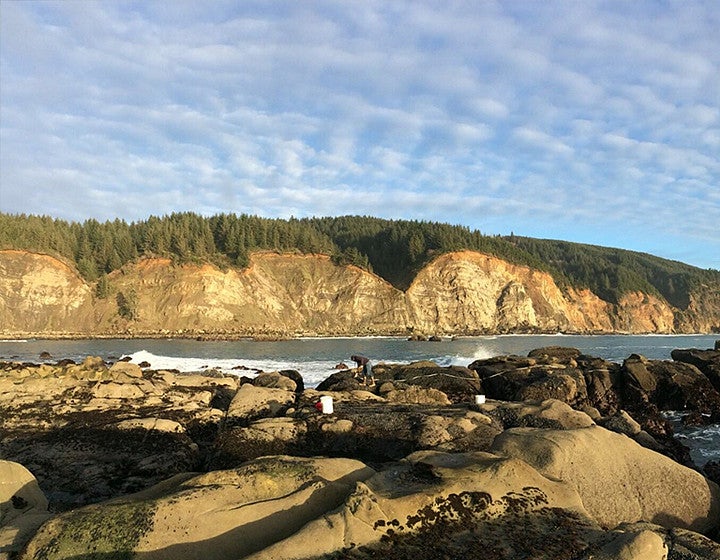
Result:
{"points": [[292, 294]]}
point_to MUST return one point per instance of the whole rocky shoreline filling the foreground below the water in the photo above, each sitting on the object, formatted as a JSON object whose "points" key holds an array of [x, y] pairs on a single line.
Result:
{"points": [[568, 457]]}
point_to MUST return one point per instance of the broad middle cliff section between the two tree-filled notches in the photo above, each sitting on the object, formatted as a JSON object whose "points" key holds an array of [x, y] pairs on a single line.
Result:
{"points": [[277, 294]]}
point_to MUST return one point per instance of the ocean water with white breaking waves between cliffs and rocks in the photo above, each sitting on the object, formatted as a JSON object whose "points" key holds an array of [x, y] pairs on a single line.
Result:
{"points": [[316, 358]]}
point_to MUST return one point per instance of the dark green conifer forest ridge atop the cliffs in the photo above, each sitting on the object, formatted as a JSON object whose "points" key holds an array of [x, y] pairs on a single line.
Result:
{"points": [[394, 249]]}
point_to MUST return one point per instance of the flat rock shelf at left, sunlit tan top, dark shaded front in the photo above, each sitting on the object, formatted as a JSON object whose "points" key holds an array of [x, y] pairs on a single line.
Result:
{"points": [[90, 432]]}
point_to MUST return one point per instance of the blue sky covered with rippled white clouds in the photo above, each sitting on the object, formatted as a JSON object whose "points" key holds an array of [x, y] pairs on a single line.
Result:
{"points": [[589, 121]]}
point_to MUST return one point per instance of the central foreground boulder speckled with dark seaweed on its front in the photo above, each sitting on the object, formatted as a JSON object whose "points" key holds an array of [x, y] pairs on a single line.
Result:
{"points": [[444, 505]]}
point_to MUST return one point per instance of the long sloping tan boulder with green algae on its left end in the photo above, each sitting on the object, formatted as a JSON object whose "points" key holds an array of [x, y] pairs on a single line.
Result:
{"points": [[218, 515]]}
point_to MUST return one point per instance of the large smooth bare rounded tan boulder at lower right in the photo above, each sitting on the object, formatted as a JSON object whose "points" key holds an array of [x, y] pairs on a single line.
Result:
{"points": [[618, 480]]}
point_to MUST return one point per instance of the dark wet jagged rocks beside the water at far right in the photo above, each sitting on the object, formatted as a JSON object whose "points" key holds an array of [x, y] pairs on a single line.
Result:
{"points": [[640, 387]]}
